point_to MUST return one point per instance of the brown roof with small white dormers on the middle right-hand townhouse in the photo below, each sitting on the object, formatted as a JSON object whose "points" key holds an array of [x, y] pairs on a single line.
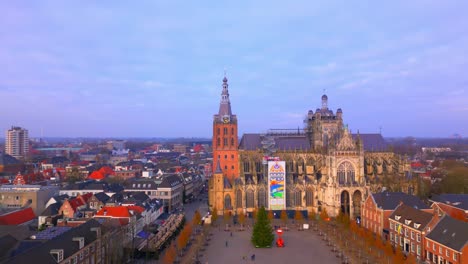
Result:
{"points": [[418, 219]]}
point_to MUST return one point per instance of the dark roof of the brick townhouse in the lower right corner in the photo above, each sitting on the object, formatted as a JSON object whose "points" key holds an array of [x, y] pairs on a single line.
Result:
{"points": [[450, 232]]}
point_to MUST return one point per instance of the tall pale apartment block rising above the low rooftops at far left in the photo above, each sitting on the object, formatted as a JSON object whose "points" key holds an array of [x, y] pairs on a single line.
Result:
{"points": [[17, 142]]}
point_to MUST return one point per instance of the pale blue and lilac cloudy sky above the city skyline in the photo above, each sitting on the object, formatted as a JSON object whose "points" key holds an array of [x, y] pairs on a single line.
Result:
{"points": [[154, 68]]}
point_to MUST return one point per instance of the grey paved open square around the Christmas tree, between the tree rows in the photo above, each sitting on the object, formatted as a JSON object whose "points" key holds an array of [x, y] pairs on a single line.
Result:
{"points": [[300, 247]]}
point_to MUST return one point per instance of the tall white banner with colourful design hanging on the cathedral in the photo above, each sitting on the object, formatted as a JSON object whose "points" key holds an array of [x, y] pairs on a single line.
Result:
{"points": [[277, 185]]}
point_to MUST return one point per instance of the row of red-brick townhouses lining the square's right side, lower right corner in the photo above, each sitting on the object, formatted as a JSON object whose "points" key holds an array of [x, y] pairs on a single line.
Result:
{"points": [[431, 233]]}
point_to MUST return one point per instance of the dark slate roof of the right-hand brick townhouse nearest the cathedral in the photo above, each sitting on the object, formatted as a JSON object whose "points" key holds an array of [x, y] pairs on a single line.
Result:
{"points": [[390, 200]]}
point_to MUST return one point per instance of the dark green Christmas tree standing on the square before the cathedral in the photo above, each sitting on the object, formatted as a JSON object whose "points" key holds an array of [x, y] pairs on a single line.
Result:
{"points": [[262, 235]]}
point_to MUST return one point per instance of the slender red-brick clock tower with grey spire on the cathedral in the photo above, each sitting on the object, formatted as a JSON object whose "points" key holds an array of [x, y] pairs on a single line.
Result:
{"points": [[225, 139]]}
